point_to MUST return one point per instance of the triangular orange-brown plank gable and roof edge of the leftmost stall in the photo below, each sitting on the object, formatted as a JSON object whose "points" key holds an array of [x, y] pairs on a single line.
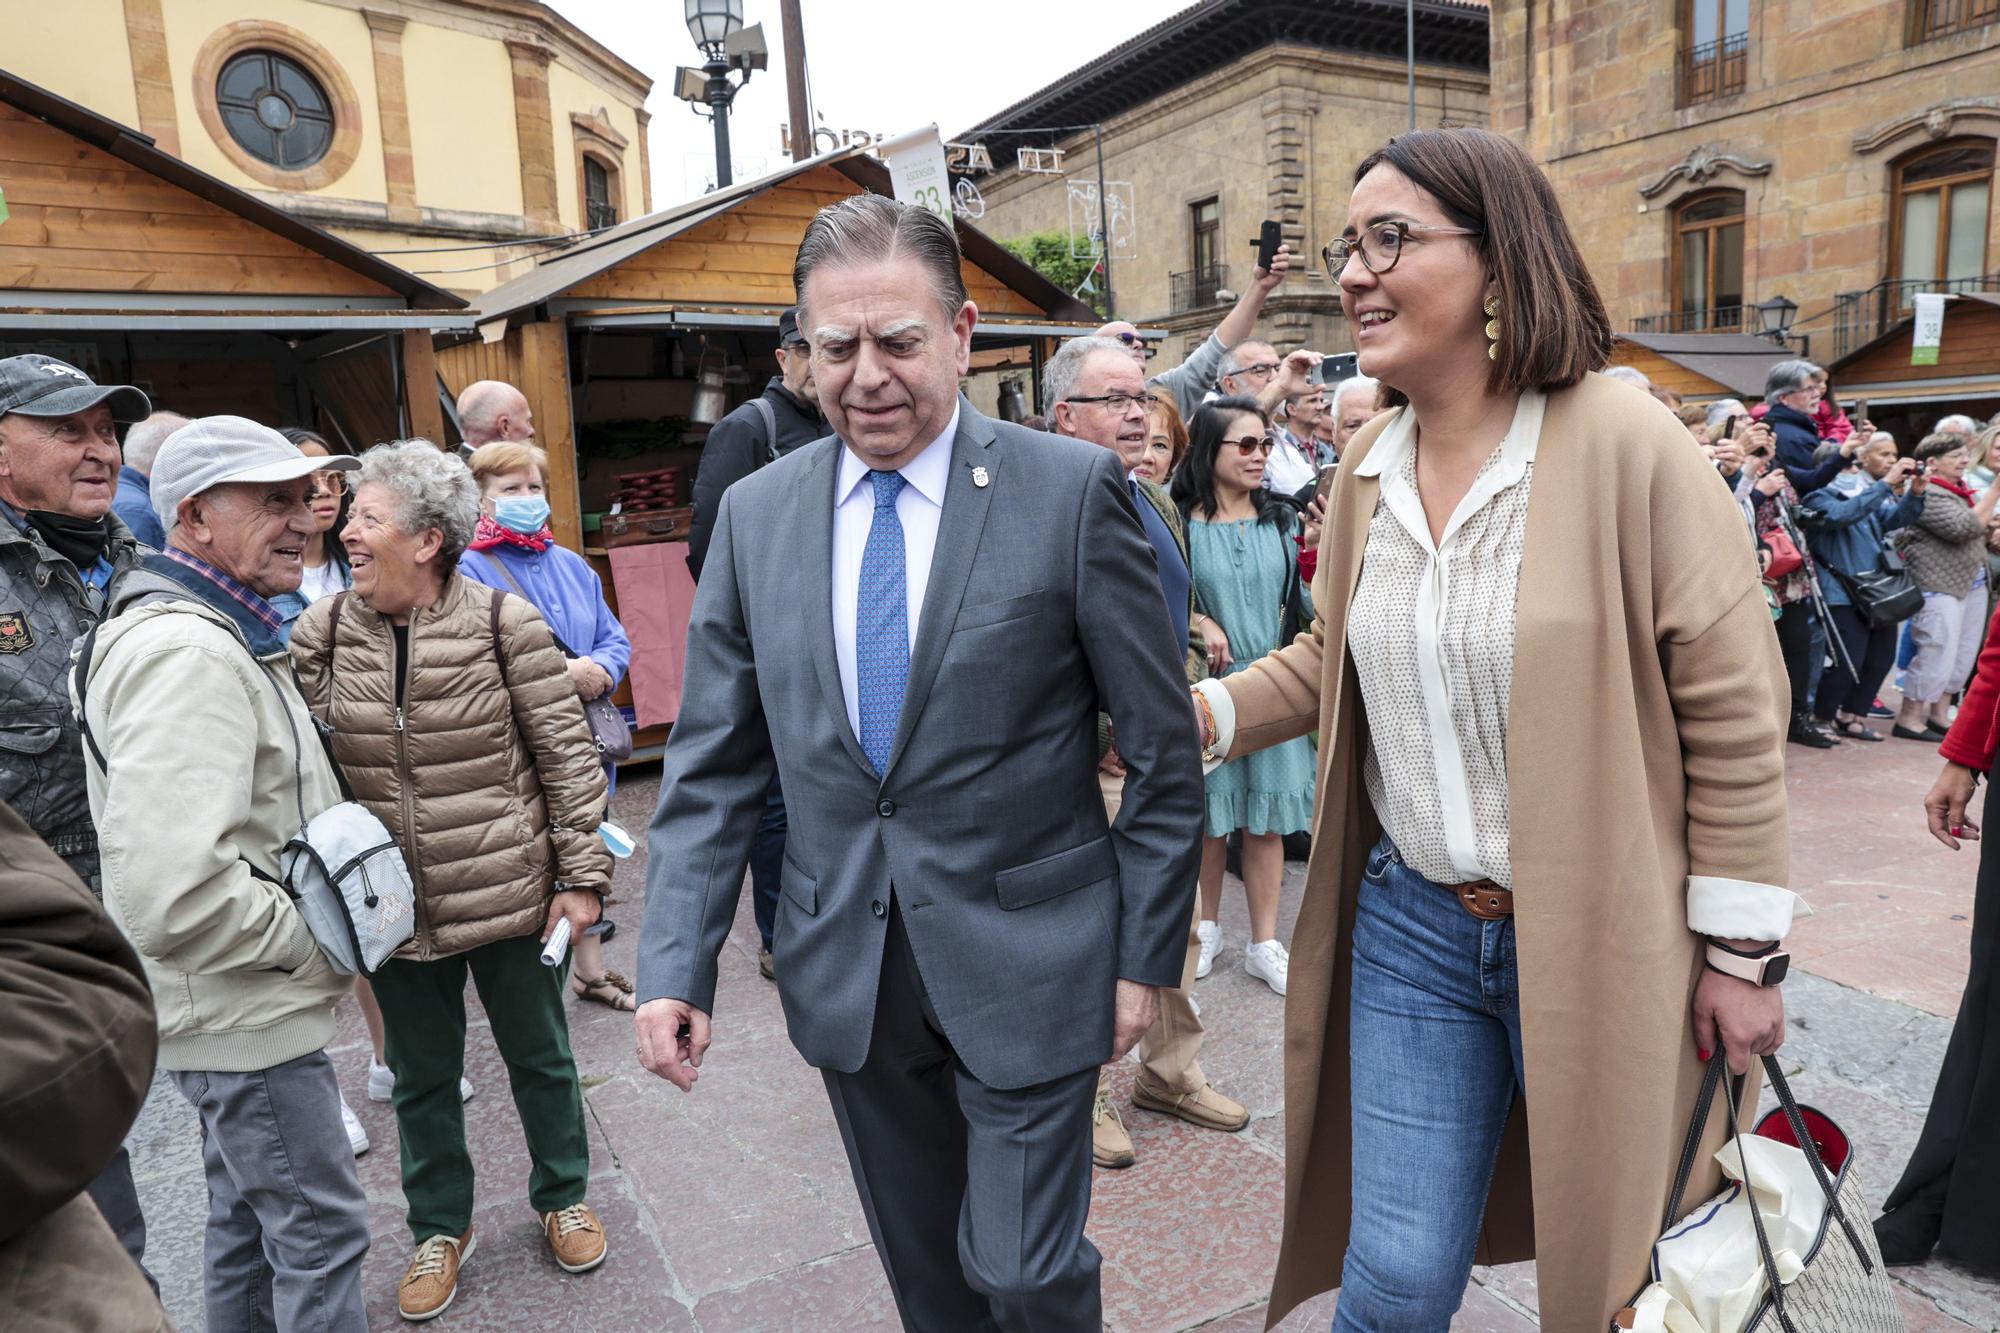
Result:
{"points": [[107, 227]]}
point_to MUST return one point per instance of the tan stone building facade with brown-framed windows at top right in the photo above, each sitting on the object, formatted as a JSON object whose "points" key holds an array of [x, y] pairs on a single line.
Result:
{"points": [[1715, 155]]}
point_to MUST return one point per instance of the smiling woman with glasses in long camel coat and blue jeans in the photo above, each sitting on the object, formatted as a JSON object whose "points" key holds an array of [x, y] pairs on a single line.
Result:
{"points": [[1559, 680]]}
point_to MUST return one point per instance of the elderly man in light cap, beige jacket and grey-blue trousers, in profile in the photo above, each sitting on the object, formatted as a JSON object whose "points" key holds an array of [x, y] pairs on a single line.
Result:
{"points": [[203, 766]]}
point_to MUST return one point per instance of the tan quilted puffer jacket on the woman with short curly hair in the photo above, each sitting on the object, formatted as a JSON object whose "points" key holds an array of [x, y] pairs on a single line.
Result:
{"points": [[485, 776]]}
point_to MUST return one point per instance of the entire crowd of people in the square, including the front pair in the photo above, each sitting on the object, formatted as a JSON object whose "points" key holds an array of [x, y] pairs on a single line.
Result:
{"points": [[987, 770]]}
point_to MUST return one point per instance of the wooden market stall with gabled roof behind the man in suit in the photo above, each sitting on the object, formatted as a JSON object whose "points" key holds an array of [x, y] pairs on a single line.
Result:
{"points": [[611, 337]]}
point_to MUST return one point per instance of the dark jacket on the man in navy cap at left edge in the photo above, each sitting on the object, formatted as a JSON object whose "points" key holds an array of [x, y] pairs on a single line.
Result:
{"points": [[45, 609]]}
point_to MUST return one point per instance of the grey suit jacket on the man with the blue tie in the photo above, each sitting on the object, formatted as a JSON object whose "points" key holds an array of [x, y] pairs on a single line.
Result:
{"points": [[1023, 906]]}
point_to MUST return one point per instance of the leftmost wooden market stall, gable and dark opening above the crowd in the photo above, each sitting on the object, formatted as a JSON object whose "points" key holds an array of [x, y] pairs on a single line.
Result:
{"points": [[141, 269]]}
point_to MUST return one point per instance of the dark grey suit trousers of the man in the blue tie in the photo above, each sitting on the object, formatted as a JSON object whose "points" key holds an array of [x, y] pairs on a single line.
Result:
{"points": [[975, 1196]]}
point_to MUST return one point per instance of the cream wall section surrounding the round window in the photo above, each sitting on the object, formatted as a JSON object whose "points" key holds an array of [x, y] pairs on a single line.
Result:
{"points": [[341, 33]]}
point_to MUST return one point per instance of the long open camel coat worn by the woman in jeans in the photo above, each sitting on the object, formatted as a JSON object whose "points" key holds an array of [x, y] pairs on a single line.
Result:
{"points": [[1645, 746]]}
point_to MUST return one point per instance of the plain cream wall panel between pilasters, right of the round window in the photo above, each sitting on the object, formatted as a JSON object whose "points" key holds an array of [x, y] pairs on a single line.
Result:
{"points": [[461, 91]]}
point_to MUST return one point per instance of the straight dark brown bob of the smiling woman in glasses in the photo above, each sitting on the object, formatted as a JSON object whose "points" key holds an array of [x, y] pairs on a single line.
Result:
{"points": [[1553, 323]]}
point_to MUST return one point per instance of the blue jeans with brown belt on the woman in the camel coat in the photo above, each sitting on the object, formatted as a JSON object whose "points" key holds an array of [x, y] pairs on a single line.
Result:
{"points": [[1435, 1052]]}
